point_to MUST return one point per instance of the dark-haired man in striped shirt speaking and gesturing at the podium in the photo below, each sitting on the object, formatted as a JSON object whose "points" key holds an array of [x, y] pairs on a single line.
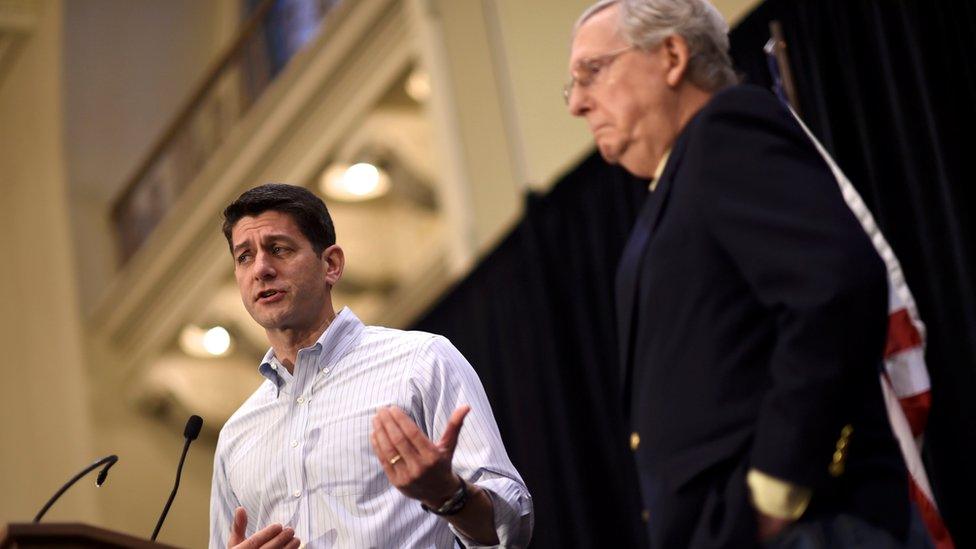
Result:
{"points": [[355, 439]]}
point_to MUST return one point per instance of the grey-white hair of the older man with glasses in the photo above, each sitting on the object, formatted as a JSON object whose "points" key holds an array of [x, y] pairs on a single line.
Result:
{"points": [[646, 23]]}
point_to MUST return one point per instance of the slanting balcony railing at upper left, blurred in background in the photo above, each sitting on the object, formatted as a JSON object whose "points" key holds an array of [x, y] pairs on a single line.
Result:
{"points": [[272, 34]]}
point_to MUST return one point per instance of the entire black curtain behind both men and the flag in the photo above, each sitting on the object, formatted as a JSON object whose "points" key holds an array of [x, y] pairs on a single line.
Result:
{"points": [[889, 87]]}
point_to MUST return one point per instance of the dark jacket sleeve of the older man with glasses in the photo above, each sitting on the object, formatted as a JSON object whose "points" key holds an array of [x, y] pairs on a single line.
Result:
{"points": [[771, 203]]}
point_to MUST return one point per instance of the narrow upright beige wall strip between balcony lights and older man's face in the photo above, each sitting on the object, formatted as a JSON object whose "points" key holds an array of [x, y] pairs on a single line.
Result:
{"points": [[474, 132]]}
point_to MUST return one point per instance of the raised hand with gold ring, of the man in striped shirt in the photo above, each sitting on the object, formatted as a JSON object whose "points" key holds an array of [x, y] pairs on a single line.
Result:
{"points": [[416, 466]]}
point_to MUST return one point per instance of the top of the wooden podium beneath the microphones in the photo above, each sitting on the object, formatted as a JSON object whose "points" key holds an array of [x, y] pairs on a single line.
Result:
{"points": [[68, 535]]}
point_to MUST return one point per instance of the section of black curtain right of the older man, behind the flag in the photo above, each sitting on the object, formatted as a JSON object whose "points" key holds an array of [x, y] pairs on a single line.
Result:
{"points": [[889, 88]]}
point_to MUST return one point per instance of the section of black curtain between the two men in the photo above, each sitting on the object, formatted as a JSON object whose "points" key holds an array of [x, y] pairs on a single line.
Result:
{"points": [[535, 318]]}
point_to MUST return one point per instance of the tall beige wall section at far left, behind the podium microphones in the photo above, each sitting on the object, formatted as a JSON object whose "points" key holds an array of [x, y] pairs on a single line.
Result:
{"points": [[45, 428]]}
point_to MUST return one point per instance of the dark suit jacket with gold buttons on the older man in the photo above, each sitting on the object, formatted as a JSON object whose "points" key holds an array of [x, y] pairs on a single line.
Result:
{"points": [[752, 316]]}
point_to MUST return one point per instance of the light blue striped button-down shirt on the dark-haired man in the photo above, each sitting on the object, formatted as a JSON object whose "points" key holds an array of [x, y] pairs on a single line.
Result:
{"points": [[297, 452]]}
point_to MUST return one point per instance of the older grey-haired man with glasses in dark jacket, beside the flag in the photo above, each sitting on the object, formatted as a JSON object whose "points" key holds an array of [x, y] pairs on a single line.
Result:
{"points": [[751, 304]]}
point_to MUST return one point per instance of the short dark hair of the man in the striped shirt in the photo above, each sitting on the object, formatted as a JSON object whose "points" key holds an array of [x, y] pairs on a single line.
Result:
{"points": [[307, 210]]}
